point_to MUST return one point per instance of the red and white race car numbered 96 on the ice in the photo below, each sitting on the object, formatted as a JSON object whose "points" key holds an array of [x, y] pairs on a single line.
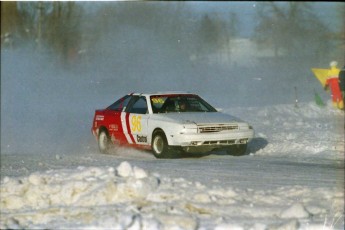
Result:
{"points": [[167, 123]]}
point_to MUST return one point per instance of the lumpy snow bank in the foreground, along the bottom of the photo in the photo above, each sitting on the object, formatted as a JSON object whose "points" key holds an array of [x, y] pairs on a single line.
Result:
{"points": [[128, 197]]}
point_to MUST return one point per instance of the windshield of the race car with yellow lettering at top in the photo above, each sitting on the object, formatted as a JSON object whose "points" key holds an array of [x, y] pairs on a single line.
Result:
{"points": [[179, 103]]}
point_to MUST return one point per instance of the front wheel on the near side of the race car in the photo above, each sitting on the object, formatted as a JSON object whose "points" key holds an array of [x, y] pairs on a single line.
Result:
{"points": [[160, 147]]}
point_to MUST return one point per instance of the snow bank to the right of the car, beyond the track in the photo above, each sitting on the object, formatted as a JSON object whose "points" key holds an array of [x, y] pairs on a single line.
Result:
{"points": [[290, 129]]}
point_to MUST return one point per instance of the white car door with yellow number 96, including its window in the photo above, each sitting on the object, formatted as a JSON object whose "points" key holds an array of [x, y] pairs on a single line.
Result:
{"points": [[136, 118]]}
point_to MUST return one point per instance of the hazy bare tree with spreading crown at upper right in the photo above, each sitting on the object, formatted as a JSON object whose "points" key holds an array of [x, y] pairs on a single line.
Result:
{"points": [[291, 29]]}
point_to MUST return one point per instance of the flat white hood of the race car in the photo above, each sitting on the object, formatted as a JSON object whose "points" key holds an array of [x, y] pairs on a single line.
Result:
{"points": [[198, 117]]}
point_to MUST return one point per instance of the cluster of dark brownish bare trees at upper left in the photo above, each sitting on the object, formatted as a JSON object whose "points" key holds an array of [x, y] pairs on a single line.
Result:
{"points": [[55, 25]]}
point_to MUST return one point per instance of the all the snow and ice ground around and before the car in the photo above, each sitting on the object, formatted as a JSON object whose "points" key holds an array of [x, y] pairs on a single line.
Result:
{"points": [[292, 178]]}
